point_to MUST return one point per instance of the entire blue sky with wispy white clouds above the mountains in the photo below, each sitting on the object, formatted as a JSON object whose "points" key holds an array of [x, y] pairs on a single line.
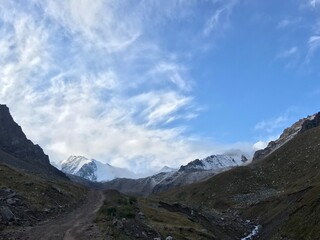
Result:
{"points": [[147, 83]]}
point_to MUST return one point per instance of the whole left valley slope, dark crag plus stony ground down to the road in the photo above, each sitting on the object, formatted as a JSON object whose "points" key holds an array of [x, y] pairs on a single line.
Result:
{"points": [[31, 190]]}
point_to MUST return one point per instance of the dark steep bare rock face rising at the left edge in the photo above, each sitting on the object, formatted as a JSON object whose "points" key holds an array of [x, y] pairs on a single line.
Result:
{"points": [[18, 151]]}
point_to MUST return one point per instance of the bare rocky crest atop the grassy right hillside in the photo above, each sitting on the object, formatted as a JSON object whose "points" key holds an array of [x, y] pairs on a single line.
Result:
{"points": [[299, 127]]}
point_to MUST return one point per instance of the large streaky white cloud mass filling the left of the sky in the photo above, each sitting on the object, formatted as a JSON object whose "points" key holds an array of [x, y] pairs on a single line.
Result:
{"points": [[83, 77]]}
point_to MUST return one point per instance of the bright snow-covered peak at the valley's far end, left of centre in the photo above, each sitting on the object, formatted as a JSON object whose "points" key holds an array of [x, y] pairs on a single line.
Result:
{"points": [[93, 170]]}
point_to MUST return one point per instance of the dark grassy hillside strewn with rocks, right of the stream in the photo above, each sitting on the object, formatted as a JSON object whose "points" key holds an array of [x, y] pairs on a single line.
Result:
{"points": [[280, 192]]}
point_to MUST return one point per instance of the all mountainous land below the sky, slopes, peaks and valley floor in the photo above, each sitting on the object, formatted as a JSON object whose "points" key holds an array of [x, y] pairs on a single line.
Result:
{"points": [[276, 196]]}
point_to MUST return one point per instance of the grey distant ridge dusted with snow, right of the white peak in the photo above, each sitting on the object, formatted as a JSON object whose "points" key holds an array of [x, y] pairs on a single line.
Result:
{"points": [[195, 171]]}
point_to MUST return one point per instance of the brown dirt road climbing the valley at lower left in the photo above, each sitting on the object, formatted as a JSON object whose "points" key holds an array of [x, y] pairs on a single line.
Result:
{"points": [[76, 225]]}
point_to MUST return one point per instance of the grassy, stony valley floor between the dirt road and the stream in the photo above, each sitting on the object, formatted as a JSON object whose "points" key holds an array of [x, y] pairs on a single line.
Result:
{"points": [[125, 217]]}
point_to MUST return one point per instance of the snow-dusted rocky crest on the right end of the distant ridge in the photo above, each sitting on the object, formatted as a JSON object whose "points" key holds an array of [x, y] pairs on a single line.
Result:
{"points": [[216, 162]]}
